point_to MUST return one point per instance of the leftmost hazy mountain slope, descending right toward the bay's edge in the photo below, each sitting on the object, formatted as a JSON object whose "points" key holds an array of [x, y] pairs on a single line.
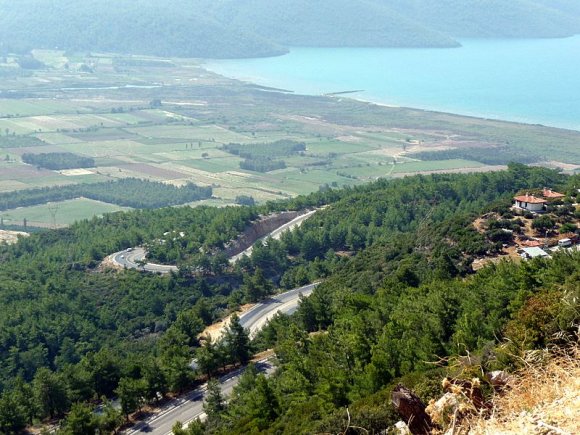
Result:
{"points": [[140, 26]]}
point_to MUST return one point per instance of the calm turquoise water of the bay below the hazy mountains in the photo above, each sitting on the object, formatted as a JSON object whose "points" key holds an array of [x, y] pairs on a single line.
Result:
{"points": [[535, 81]]}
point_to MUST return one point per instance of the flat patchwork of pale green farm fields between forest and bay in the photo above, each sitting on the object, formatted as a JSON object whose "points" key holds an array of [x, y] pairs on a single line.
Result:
{"points": [[171, 123]]}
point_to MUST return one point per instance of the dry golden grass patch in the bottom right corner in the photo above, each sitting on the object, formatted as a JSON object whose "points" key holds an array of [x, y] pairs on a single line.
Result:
{"points": [[542, 399]]}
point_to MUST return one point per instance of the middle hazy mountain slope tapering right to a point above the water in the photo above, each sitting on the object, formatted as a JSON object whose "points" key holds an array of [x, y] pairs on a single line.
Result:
{"points": [[328, 23]]}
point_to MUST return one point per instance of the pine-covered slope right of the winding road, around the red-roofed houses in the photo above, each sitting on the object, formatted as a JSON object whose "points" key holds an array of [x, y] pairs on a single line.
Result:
{"points": [[400, 307]]}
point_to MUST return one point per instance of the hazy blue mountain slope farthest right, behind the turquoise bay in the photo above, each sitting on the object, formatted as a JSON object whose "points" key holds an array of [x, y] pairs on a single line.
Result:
{"points": [[493, 18]]}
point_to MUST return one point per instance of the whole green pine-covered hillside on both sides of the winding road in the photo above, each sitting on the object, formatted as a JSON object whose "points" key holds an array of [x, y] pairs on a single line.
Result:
{"points": [[398, 292]]}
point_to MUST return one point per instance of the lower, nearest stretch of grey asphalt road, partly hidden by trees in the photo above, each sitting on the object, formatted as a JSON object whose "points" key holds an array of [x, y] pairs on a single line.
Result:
{"points": [[190, 406]]}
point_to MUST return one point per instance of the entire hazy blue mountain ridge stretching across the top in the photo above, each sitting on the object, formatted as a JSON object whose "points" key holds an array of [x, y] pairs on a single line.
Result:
{"points": [[258, 28]]}
